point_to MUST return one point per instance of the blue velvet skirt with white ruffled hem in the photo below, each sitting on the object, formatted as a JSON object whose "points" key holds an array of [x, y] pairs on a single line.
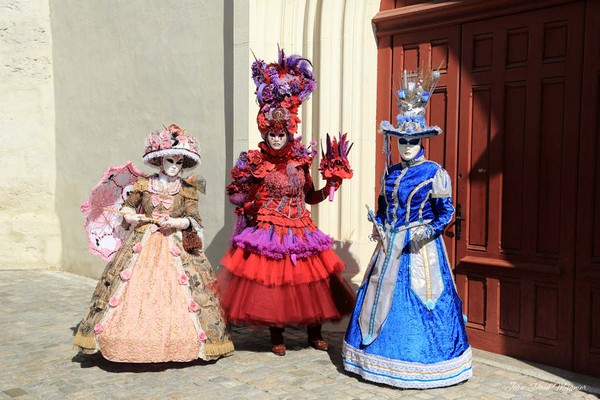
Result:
{"points": [[420, 344]]}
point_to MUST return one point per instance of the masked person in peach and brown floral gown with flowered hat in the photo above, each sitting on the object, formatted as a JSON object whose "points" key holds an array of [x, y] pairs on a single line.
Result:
{"points": [[156, 300]]}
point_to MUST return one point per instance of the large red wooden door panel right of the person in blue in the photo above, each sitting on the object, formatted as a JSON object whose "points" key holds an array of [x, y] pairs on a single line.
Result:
{"points": [[518, 147]]}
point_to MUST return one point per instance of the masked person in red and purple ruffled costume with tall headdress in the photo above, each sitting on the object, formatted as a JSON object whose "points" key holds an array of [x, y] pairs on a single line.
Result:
{"points": [[280, 269]]}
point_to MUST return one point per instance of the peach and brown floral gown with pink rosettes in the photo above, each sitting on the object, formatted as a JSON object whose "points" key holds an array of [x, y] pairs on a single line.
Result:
{"points": [[156, 302]]}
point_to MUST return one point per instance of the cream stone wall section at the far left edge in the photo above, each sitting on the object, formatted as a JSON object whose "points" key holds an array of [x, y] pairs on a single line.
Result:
{"points": [[30, 234]]}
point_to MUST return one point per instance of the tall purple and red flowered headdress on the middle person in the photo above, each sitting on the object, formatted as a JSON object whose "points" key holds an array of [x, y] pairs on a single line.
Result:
{"points": [[281, 87]]}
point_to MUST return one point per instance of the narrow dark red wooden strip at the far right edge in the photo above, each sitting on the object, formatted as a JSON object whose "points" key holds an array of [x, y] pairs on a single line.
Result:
{"points": [[587, 281]]}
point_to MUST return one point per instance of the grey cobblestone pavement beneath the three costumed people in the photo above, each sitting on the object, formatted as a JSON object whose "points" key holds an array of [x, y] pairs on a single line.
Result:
{"points": [[40, 309]]}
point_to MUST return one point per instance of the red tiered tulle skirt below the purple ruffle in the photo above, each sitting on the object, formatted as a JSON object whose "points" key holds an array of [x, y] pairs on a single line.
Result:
{"points": [[263, 291]]}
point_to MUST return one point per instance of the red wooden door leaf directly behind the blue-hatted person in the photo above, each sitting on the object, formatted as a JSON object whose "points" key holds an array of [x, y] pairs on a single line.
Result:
{"points": [[437, 48]]}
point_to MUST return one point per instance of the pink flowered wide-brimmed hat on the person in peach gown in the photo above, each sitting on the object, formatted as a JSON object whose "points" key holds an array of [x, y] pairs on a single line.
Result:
{"points": [[172, 141]]}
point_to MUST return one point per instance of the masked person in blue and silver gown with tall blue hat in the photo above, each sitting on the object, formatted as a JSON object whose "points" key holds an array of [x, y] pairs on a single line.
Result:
{"points": [[407, 329]]}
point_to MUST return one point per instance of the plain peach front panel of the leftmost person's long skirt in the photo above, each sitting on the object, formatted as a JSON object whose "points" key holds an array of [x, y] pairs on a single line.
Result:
{"points": [[151, 323]]}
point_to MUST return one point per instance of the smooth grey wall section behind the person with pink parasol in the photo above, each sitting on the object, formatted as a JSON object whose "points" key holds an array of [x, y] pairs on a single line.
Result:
{"points": [[122, 69]]}
